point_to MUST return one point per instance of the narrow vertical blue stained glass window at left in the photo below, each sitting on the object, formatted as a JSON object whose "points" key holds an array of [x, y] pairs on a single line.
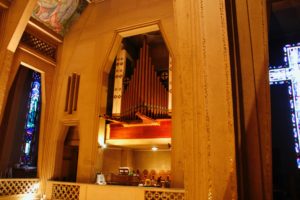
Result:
{"points": [[31, 127]]}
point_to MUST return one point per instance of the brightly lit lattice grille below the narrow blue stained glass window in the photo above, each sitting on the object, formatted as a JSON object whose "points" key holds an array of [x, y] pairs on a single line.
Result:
{"points": [[15, 187]]}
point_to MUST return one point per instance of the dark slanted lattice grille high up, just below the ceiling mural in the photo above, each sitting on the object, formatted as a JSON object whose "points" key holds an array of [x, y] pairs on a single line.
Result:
{"points": [[39, 45]]}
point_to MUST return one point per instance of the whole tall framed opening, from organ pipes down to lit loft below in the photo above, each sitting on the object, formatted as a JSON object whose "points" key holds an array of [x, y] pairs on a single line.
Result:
{"points": [[136, 125]]}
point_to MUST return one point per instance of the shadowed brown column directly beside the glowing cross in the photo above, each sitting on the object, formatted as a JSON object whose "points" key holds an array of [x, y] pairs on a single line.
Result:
{"points": [[253, 66]]}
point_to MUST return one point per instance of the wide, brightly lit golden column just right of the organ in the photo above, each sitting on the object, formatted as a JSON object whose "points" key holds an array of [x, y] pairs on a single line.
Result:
{"points": [[202, 90]]}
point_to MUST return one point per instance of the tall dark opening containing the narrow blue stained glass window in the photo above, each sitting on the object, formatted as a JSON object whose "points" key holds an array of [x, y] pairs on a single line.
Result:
{"points": [[20, 126]]}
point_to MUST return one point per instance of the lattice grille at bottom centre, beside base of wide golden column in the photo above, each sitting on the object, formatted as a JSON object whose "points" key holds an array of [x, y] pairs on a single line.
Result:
{"points": [[163, 195]]}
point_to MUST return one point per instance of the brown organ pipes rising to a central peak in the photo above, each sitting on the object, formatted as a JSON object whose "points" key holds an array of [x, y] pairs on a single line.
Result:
{"points": [[144, 93]]}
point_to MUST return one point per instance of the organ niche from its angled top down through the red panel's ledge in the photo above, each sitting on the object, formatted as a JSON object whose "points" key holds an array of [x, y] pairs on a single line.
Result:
{"points": [[138, 111]]}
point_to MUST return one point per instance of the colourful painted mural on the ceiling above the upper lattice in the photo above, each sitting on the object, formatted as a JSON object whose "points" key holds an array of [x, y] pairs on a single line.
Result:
{"points": [[58, 14]]}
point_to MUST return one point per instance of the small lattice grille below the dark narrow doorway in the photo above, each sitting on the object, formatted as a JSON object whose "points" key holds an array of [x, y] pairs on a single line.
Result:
{"points": [[65, 192]]}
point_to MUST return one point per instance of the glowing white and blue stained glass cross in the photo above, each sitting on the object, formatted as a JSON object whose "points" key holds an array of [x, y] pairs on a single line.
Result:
{"points": [[290, 74]]}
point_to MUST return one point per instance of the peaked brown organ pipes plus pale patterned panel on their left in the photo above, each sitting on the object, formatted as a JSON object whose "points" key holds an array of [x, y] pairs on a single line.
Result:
{"points": [[144, 94]]}
